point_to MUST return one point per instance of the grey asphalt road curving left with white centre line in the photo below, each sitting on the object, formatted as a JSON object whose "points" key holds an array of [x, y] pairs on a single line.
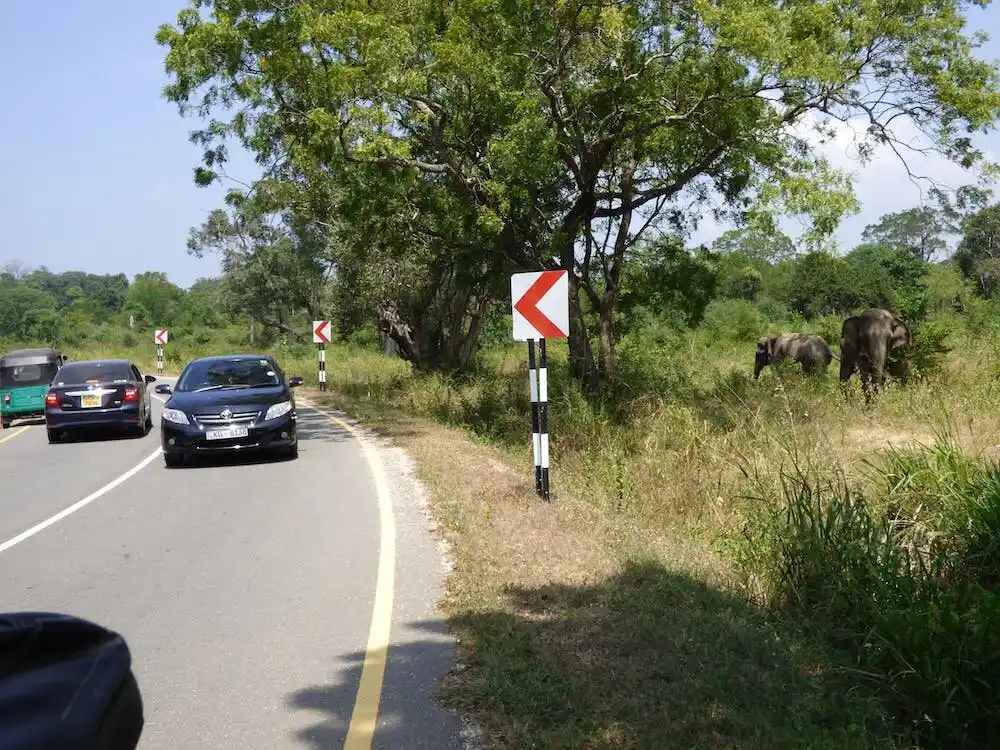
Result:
{"points": [[246, 590]]}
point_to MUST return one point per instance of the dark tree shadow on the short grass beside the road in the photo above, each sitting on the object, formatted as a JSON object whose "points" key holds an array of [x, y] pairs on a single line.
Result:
{"points": [[653, 659]]}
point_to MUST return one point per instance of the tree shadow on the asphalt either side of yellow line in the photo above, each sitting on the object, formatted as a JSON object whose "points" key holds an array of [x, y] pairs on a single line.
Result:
{"points": [[409, 716]]}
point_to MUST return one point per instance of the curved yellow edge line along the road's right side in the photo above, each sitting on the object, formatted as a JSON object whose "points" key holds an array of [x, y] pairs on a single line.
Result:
{"points": [[364, 717]]}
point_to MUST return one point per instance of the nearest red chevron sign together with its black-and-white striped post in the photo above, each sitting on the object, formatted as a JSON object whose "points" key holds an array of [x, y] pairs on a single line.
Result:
{"points": [[540, 302]]}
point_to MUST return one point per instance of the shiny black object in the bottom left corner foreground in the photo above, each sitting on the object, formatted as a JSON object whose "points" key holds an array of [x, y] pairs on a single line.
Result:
{"points": [[66, 684]]}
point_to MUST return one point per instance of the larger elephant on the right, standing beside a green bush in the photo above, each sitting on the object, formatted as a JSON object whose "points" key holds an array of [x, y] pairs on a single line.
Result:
{"points": [[865, 343]]}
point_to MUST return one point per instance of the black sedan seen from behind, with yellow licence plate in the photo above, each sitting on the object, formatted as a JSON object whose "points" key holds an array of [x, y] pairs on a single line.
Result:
{"points": [[98, 393]]}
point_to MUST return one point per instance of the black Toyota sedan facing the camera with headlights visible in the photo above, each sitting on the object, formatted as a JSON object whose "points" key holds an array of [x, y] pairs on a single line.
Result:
{"points": [[229, 403]]}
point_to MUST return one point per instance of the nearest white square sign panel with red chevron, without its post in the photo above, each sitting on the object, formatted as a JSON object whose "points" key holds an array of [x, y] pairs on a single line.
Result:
{"points": [[540, 305]]}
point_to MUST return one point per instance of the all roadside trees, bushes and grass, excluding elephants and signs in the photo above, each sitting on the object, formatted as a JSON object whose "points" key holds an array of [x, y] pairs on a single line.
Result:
{"points": [[726, 562]]}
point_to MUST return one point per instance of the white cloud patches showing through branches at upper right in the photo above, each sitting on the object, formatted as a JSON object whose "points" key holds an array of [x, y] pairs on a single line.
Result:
{"points": [[881, 185]]}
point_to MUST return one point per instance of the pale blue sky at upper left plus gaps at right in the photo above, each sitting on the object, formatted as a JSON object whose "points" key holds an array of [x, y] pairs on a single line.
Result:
{"points": [[97, 165]]}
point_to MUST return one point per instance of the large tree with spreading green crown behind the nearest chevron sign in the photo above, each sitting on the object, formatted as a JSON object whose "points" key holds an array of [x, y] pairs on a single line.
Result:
{"points": [[537, 125]]}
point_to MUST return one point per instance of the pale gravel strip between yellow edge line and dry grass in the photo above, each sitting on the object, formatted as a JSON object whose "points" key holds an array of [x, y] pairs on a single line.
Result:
{"points": [[408, 489]]}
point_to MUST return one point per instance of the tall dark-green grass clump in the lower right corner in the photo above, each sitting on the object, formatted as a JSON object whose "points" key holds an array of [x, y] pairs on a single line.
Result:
{"points": [[902, 574]]}
